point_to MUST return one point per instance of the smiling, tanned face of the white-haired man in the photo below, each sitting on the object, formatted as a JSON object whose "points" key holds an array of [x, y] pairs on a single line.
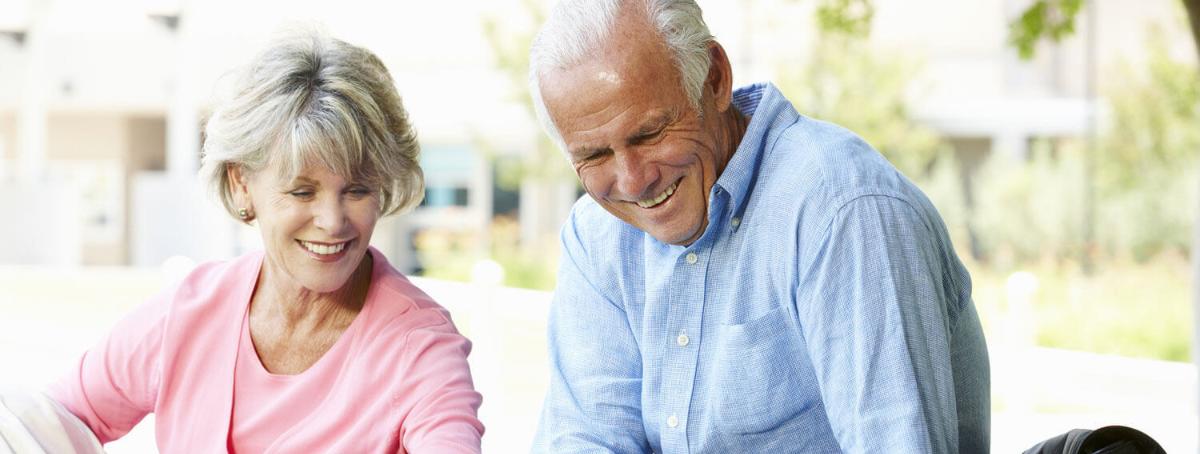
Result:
{"points": [[633, 138]]}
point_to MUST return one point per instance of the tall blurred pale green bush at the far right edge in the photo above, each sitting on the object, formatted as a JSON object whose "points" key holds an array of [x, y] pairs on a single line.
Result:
{"points": [[1149, 158]]}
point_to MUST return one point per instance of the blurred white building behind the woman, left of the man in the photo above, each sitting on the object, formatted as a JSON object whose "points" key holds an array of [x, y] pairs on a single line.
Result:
{"points": [[103, 110]]}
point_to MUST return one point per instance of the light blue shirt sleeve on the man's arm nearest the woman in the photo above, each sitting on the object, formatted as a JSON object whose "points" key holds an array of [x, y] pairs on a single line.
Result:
{"points": [[595, 398]]}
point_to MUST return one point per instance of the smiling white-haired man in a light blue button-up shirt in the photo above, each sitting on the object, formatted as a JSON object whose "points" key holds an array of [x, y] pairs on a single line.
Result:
{"points": [[742, 279]]}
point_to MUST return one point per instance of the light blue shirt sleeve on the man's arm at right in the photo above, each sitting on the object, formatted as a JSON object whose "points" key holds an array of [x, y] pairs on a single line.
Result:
{"points": [[875, 308]]}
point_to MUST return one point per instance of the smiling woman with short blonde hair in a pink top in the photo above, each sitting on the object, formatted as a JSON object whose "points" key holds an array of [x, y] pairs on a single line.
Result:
{"points": [[315, 344]]}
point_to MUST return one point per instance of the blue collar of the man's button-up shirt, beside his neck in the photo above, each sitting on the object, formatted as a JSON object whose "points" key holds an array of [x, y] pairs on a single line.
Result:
{"points": [[764, 104]]}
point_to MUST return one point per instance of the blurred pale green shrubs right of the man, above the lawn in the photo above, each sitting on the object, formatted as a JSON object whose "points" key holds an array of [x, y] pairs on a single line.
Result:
{"points": [[1145, 174]]}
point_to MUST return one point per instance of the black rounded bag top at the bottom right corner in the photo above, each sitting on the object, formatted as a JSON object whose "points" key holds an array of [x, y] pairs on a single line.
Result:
{"points": [[1111, 440]]}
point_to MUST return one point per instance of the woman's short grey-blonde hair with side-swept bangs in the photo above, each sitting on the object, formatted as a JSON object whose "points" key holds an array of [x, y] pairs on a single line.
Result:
{"points": [[313, 100]]}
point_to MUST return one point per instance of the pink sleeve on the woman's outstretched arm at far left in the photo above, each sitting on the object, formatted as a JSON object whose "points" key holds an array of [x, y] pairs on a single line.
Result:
{"points": [[116, 384]]}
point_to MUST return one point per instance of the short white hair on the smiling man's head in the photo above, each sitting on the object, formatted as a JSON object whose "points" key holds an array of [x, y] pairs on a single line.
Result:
{"points": [[577, 28]]}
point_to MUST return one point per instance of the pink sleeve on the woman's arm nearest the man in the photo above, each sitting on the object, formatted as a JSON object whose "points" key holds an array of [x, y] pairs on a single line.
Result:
{"points": [[445, 420]]}
